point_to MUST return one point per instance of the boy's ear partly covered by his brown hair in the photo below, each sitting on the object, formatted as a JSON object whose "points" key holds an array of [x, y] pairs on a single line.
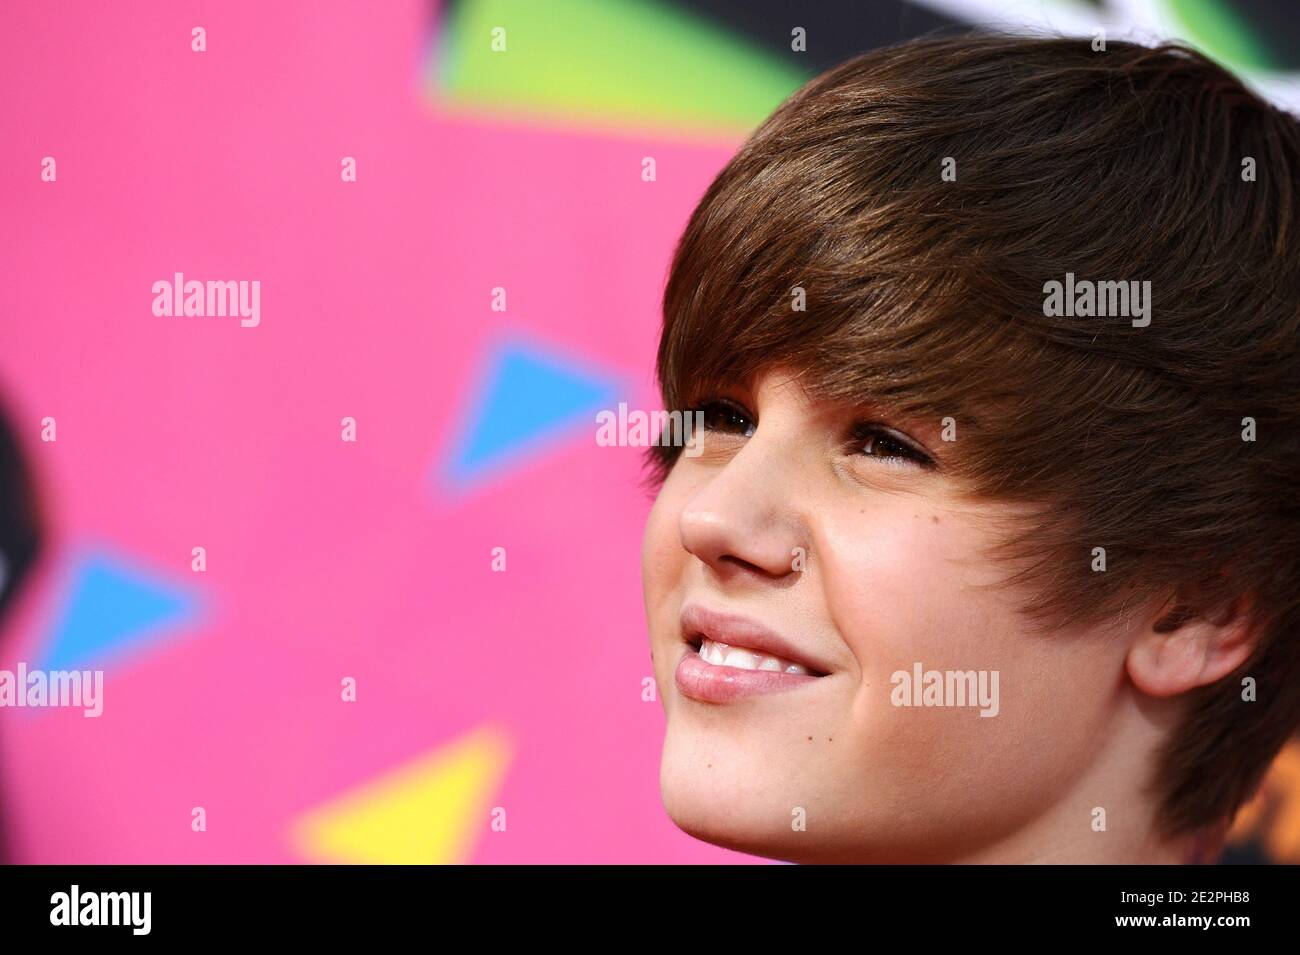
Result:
{"points": [[1182, 650]]}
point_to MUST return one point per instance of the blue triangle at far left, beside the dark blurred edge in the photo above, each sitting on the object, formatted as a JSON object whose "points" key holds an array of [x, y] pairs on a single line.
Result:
{"points": [[112, 609]]}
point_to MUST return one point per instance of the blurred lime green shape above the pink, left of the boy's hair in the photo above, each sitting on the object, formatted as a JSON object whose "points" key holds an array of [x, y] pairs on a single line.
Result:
{"points": [[608, 63]]}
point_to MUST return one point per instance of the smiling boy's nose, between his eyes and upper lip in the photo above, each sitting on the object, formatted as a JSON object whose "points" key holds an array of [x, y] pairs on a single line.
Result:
{"points": [[744, 522]]}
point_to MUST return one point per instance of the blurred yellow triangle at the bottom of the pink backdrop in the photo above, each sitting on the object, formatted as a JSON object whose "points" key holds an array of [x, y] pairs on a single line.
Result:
{"points": [[428, 811]]}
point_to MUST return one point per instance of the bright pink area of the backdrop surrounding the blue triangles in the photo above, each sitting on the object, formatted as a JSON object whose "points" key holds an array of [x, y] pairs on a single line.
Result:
{"points": [[326, 559]]}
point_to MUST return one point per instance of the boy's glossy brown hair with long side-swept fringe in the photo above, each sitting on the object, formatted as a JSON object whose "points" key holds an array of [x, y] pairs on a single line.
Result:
{"points": [[928, 296]]}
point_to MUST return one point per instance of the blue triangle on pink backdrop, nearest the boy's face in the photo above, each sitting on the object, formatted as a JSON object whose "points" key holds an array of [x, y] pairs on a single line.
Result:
{"points": [[528, 397]]}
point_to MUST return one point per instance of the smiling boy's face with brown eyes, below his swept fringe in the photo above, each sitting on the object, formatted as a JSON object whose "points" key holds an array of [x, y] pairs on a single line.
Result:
{"points": [[829, 769]]}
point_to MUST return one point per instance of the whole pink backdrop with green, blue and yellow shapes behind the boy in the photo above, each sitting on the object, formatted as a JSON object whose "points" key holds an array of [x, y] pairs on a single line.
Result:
{"points": [[463, 306]]}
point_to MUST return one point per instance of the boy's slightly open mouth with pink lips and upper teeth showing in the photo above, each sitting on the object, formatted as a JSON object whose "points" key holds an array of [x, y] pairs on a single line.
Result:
{"points": [[730, 657]]}
